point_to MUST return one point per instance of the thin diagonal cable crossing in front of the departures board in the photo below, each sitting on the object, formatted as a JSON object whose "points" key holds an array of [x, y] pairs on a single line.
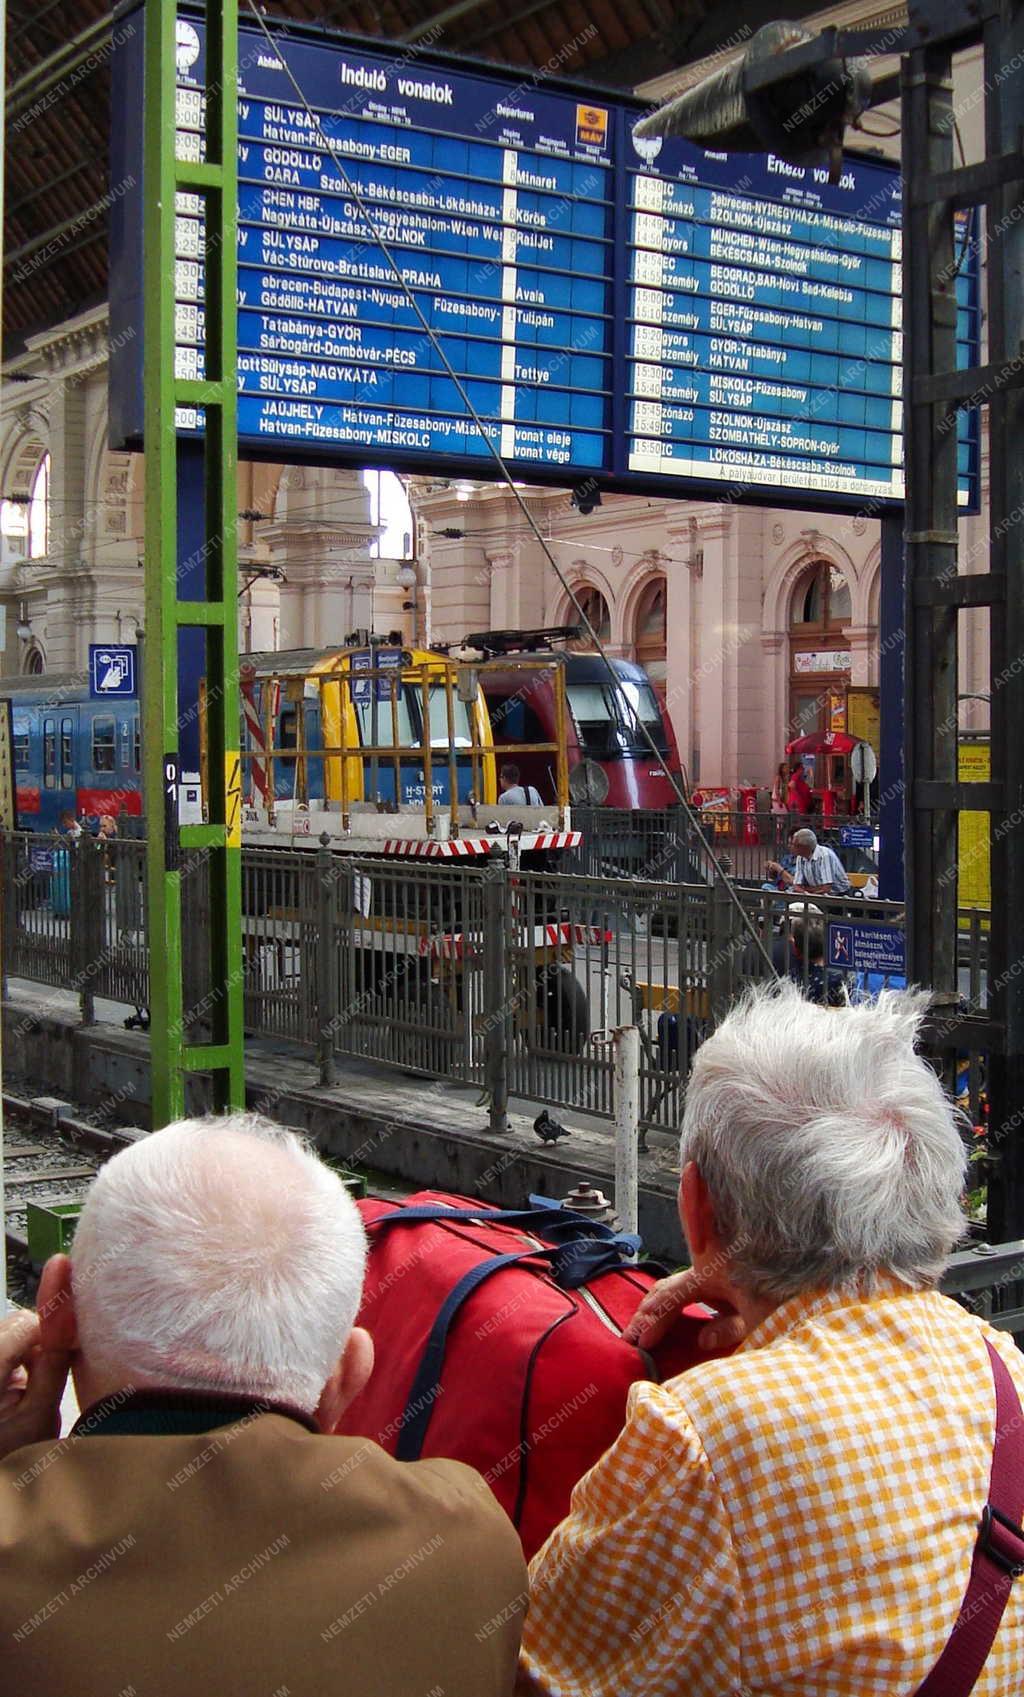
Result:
{"points": [[357, 198]]}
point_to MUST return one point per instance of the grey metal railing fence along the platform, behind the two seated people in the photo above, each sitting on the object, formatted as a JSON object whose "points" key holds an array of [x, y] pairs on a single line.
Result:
{"points": [[507, 980]]}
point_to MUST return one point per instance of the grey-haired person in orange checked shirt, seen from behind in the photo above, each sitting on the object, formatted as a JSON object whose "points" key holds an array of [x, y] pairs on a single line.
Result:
{"points": [[797, 1518]]}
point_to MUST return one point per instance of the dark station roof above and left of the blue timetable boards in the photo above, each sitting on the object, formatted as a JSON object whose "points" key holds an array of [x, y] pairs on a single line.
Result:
{"points": [[59, 103]]}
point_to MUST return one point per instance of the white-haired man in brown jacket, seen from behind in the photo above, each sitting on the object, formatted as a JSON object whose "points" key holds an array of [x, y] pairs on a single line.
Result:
{"points": [[198, 1533]]}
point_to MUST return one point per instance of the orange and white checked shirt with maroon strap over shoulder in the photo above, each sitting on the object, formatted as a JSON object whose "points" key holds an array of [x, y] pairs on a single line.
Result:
{"points": [[797, 1520]]}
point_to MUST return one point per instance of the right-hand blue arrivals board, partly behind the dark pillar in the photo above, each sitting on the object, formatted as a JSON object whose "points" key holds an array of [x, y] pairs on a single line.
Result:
{"points": [[765, 323]]}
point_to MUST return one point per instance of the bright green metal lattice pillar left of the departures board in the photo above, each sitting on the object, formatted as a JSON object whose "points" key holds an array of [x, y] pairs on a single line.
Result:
{"points": [[217, 393]]}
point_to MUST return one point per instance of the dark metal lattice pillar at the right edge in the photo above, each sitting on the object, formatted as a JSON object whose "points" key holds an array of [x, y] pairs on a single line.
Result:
{"points": [[937, 593]]}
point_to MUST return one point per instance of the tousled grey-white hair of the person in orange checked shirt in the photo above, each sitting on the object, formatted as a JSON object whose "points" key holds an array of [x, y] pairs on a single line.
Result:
{"points": [[828, 1146]]}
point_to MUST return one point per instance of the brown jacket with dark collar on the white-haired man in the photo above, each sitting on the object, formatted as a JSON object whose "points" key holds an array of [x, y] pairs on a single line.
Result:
{"points": [[169, 1554]]}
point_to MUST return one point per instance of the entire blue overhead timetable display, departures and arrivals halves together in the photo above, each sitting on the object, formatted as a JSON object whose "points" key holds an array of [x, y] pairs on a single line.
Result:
{"points": [[650, 315]]}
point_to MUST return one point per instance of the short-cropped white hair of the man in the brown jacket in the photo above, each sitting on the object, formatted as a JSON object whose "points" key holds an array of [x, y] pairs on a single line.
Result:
{"points": [[220, 1255]]}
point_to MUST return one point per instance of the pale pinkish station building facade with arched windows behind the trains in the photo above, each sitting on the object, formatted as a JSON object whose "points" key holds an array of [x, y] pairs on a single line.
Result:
{"points": [[751, 620]]}
